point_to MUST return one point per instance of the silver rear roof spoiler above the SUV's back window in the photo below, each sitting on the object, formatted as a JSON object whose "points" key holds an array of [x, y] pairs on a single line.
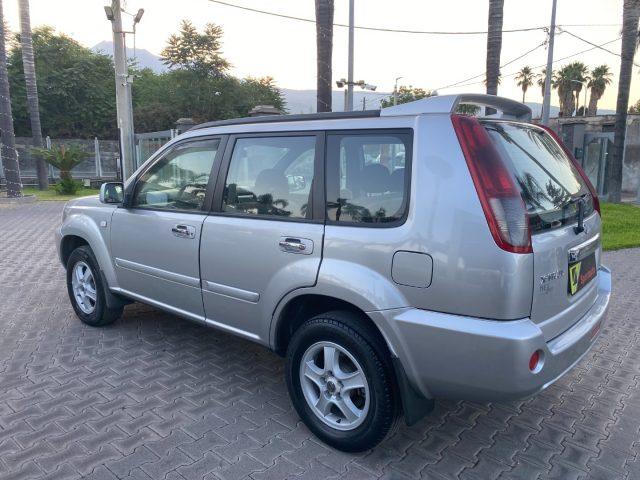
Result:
{"points": [[449, 103]]}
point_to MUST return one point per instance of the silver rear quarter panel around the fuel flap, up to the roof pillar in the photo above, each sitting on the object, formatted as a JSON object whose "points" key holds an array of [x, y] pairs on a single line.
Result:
{"points": [[471, 274]]}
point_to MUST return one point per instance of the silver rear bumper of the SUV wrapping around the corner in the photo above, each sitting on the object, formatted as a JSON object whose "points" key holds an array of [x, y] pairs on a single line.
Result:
{"points": [[452, 356]]}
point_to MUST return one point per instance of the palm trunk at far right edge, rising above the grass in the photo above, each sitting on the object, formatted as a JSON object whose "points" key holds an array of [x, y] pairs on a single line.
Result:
{"points": [[630, 12]]}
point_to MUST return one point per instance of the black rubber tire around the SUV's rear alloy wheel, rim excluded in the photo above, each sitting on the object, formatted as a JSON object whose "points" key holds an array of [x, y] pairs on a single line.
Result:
{"points": [[375, 426]]}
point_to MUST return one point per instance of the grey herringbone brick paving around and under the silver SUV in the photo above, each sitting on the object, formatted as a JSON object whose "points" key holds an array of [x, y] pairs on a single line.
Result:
{"points": [[153, 396]]}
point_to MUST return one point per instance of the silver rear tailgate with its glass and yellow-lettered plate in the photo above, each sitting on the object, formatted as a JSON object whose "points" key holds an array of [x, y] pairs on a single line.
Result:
{"points": [[566, 260]]}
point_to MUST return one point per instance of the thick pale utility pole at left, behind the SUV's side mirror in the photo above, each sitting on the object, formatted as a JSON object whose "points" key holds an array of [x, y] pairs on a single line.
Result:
{"points": [[123, 90]]}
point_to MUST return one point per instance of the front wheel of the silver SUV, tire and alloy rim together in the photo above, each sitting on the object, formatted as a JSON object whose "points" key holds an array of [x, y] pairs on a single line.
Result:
{"points": [[92, 311]]}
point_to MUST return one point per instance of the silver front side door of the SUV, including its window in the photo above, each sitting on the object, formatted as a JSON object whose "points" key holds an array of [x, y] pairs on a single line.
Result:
{"points": [[155, 241]]}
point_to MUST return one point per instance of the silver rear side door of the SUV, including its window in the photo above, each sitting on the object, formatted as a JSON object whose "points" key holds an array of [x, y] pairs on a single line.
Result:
{"points": [[265, 240]]}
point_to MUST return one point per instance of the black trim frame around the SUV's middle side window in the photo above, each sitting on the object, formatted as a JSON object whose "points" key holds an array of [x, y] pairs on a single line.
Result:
{"points": [[316, 193]]}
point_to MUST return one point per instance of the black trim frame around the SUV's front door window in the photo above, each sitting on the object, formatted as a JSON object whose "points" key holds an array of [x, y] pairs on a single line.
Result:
{"points": [[215, 168]]}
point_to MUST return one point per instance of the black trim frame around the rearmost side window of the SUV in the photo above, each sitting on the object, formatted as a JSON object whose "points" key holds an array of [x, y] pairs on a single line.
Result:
{"points": [[406, 201]]}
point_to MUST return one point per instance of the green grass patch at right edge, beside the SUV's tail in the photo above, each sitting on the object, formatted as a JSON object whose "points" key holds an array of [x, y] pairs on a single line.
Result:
{"points": [[620, 226]]}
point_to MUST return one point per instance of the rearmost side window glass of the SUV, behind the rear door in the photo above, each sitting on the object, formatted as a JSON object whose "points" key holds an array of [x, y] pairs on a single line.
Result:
{"points": [[367, 177]]}
